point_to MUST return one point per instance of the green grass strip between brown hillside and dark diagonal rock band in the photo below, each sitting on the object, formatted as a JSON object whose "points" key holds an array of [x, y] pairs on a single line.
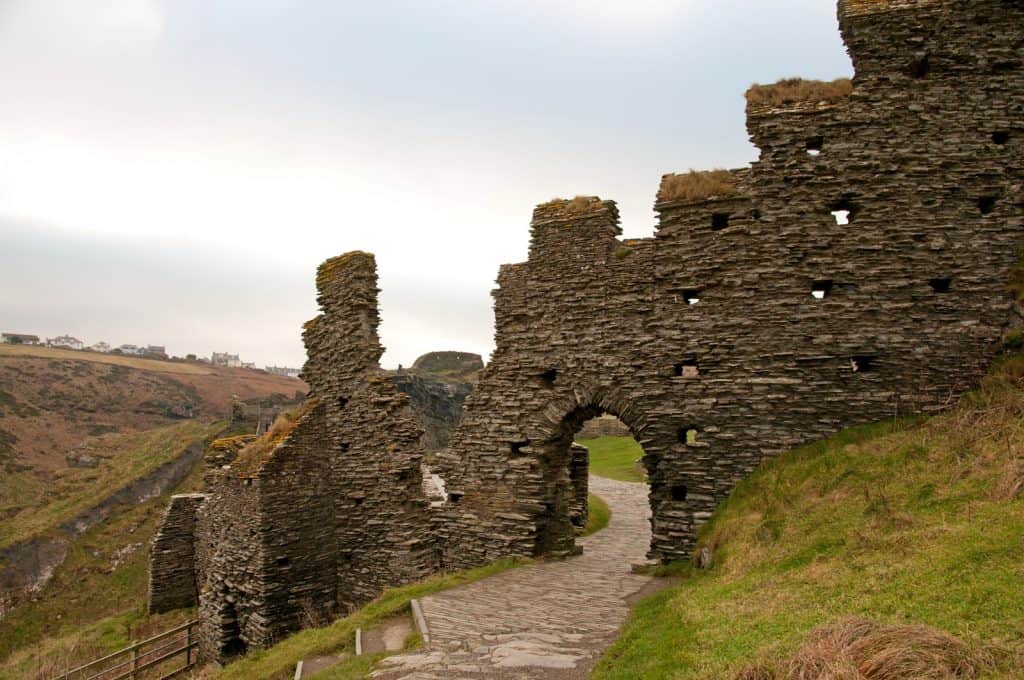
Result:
{"points": [[123, 459]]}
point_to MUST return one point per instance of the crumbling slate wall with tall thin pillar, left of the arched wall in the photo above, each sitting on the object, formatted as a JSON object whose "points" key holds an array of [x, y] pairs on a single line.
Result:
{"points": [[310, 522]]}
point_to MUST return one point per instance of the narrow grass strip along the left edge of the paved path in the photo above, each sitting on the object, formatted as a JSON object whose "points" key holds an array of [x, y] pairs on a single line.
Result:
{"points": [[280, 661]]}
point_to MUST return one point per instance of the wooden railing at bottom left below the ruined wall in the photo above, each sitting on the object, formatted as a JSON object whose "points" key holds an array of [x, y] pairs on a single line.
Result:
{"points": [[136, 661]]}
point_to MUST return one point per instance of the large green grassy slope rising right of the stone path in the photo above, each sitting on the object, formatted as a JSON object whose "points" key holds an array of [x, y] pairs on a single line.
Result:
{"points": [[912, 523]]}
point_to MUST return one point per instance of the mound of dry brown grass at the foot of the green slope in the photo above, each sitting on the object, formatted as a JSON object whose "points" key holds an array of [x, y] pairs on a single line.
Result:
{"points": [[863, 650]]}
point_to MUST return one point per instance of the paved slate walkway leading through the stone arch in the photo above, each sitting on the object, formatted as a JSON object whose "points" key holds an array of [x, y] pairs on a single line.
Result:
{"points": [[549, 620]]}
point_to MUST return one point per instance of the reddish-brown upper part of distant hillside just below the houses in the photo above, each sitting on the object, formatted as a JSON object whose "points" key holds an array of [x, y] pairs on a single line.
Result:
{"points": [[53, 400]]}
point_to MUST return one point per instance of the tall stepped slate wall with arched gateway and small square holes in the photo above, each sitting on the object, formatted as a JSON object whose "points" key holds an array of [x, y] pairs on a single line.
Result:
{"points": [[708, 341]]}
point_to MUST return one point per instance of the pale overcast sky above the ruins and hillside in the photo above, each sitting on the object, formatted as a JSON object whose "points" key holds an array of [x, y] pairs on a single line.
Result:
{"points": [[173, 172]]}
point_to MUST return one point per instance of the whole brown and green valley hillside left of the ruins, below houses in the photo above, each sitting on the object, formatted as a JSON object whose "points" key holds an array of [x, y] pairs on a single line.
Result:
{"points": [[75, 430]]}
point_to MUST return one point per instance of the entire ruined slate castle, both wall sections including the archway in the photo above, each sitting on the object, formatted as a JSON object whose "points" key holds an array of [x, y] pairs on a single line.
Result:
{"points": [[857, 272]]}
